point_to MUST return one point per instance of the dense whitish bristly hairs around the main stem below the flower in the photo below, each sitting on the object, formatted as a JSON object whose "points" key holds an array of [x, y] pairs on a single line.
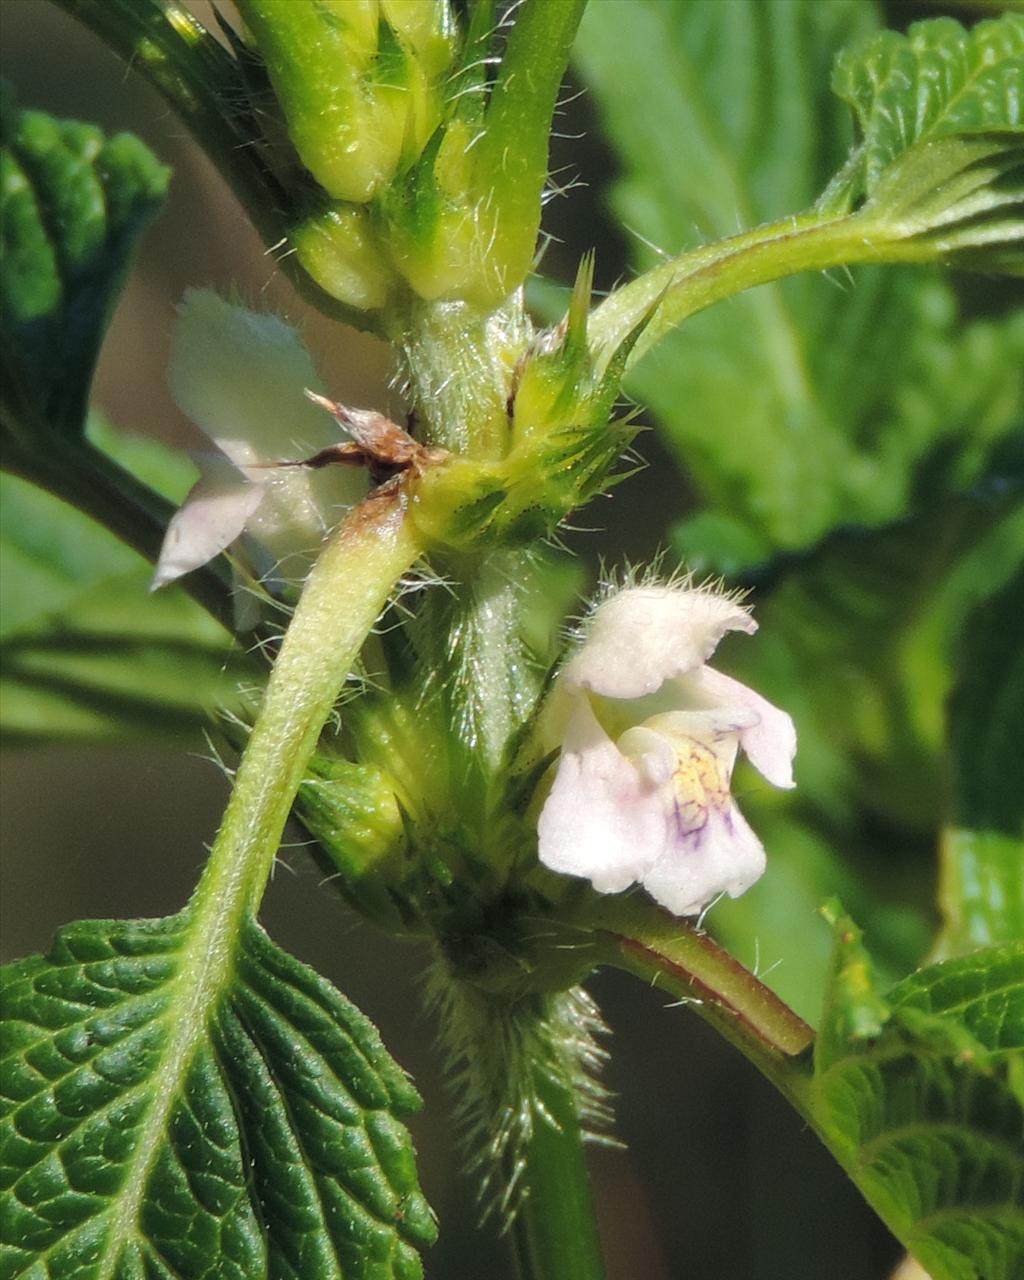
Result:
{"points": [[497, 1050]]}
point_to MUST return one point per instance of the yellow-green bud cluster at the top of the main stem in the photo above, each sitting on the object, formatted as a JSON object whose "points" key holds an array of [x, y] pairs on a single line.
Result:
{"points": [[424, 180]]}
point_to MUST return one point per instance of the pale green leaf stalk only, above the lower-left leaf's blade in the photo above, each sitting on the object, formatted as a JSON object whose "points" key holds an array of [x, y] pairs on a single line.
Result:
{"points": [[342, 600]]}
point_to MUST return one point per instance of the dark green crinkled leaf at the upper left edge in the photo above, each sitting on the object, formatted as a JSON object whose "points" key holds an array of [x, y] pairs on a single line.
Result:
{"points": [[72, 207]]}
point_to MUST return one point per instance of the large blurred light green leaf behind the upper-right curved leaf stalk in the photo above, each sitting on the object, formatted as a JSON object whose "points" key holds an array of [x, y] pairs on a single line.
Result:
{"points": [[735, 145]]}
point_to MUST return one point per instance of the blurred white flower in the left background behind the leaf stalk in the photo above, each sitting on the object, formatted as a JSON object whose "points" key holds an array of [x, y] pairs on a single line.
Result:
{"points": [[241, 377]]}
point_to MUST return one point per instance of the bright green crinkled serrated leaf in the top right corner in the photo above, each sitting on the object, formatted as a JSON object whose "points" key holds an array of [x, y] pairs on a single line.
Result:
{"points": [[941, 118]]}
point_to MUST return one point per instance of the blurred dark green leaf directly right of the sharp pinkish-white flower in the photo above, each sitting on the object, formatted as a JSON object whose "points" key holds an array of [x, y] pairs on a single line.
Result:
{"points": [[860, 642]]}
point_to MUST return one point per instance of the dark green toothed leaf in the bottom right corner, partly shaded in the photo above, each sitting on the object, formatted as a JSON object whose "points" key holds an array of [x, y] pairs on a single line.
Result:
{"points": [[920, 1098]]}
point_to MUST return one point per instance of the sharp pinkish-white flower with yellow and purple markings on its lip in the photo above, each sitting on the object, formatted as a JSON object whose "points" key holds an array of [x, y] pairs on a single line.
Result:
{"points": [[650, 738]]}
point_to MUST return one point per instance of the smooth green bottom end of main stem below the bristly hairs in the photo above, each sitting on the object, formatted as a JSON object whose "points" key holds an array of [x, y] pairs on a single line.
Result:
{"points": [[555, 1235]]}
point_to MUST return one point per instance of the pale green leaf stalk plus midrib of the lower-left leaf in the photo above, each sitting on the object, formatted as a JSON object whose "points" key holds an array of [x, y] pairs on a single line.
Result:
{"points": [[344, 597]]}
